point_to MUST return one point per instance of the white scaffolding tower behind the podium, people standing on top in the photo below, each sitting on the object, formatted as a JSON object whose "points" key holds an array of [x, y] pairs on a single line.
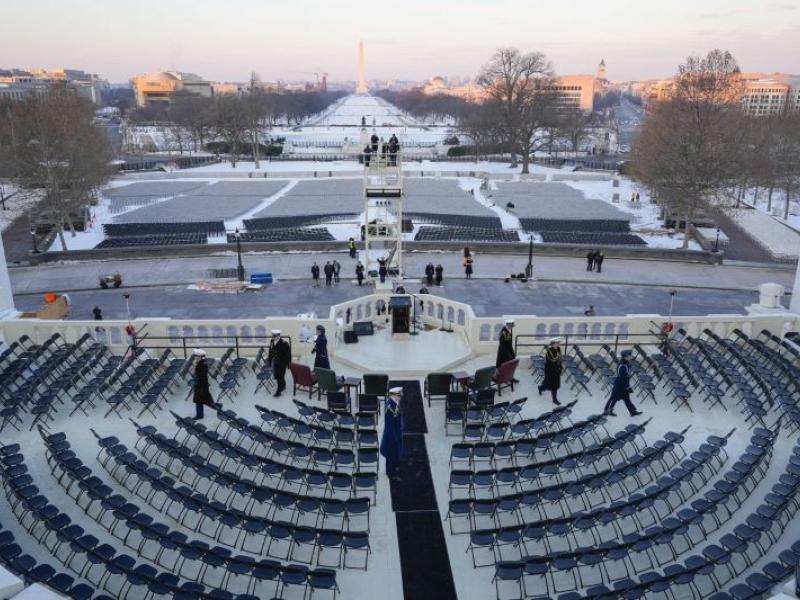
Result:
{"points": [[383, 213]]}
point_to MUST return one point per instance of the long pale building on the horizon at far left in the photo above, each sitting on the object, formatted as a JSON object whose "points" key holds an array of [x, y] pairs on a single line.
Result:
{"points": [[15, 84]]}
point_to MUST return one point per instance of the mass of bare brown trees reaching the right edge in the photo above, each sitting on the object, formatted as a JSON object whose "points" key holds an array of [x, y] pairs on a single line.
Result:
{"points": [[698, 149]]}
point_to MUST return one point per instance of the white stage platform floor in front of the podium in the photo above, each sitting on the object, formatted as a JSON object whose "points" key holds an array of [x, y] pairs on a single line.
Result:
{"points": [[406, 355]]}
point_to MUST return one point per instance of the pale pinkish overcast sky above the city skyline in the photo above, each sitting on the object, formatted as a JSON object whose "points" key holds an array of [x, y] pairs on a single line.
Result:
{"points": [[404, 39]]}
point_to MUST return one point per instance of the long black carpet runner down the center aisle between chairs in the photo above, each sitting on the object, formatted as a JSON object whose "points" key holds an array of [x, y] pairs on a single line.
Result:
{"points": [[424, 561]]}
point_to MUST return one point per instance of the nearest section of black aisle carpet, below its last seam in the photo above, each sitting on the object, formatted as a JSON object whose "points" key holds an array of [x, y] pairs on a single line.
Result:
{"points": [[424, 561]]}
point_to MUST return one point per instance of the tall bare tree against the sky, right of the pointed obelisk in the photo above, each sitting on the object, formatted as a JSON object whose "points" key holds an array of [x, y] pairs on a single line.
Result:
{"points": [[521, 85]]}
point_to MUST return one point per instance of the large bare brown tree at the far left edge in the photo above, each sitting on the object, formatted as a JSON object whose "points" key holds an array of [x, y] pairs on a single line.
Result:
{"points": [[53, 151]]}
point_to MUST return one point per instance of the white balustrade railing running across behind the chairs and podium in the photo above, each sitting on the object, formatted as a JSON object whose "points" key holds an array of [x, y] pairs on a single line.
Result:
{"points": [[481, 332]]}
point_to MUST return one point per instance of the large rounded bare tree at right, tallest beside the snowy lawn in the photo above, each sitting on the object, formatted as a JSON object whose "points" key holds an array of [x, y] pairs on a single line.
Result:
{"points": [[690, 146]]}
